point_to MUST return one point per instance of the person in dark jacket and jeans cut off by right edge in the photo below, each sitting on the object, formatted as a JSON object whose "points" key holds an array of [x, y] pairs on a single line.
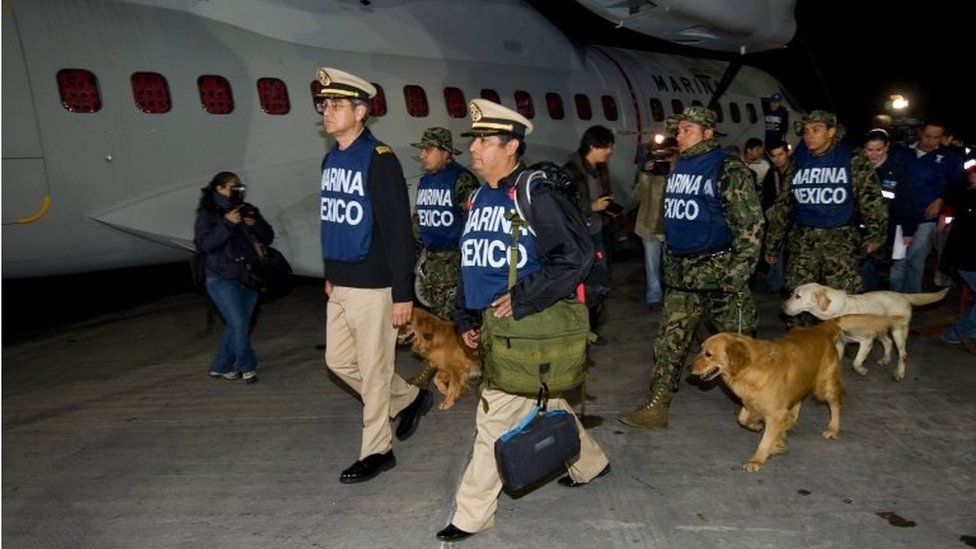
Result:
{"points": [[959, 254]]}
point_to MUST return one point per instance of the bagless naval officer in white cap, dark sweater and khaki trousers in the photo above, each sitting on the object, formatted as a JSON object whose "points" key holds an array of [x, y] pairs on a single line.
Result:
{"points": [[367, 250]]}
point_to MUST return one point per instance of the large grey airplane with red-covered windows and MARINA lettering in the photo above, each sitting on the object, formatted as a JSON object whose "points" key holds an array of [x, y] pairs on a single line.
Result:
{"points": [[117, 112]]}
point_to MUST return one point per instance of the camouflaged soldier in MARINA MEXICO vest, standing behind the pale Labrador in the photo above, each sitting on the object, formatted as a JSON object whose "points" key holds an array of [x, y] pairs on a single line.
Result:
{"points": [[833, 188]]}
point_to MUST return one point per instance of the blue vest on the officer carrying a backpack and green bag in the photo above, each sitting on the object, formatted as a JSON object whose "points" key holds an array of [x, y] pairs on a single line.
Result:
{"points": [[485, 244]]}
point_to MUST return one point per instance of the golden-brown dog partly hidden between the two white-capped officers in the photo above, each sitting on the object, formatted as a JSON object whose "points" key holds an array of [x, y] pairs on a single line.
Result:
{"points": [[437, 342]]}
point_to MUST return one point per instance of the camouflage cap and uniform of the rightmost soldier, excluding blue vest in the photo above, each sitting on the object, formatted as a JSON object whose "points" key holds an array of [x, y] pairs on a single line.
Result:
{"points": [[830, 256]]}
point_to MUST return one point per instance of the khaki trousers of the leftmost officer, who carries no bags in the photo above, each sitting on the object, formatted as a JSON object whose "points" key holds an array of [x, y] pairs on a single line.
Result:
{"points": [[360, 348]]}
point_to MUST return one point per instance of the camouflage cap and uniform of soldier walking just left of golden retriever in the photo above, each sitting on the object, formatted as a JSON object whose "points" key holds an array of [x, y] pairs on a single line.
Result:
{"points": [[711, 285]]}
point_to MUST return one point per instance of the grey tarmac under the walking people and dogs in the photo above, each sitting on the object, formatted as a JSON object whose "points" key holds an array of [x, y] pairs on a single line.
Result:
{"points": [[114, 436]]}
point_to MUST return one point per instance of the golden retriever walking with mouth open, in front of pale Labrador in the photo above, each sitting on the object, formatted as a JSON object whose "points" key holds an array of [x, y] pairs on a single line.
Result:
{"points": [[772, 377]]}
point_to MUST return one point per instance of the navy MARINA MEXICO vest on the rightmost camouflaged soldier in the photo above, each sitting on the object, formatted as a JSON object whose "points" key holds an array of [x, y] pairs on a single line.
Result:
{"points": [[822, 192]]}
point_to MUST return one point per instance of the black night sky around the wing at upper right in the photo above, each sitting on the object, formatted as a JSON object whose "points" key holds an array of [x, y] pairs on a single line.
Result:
{"points": [[919, 49]]}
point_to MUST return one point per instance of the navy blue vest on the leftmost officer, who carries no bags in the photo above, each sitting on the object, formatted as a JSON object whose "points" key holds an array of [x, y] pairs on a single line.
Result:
{"points": [[346, 211]]}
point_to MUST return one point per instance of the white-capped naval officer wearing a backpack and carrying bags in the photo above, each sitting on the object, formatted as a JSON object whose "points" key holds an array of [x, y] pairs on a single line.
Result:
{"points": [[555, 262]]}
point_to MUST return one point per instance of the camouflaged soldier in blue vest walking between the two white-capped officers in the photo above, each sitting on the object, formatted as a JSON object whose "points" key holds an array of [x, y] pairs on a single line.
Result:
{"points": [[441, 198]]}
